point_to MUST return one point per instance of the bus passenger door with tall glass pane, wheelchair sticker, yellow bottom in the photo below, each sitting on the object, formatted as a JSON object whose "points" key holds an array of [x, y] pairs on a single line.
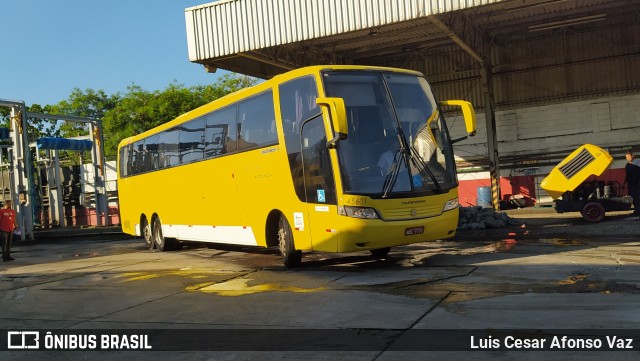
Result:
{"points": [[319, 186]]}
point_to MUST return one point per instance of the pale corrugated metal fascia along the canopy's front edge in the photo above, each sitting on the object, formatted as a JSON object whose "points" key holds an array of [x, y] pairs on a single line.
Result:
{"points": [[230, 27]]}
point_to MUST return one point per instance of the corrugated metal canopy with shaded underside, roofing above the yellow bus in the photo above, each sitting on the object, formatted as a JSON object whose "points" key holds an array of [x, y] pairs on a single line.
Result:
{"points": [[265, 37]]}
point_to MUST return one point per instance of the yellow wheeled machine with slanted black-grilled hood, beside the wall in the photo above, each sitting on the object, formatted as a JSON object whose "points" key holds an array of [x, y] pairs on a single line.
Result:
{"points": [[571, 193]]}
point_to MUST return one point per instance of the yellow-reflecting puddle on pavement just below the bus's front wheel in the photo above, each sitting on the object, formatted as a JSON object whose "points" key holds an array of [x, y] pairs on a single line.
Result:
{"points": [[241, 287]]}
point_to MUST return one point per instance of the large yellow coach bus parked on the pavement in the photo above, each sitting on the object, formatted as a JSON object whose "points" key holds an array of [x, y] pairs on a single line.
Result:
{"points": [[322, 158]]}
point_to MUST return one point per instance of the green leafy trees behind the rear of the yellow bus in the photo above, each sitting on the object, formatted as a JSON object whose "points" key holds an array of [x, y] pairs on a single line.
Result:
{"points": [[125, 115]]}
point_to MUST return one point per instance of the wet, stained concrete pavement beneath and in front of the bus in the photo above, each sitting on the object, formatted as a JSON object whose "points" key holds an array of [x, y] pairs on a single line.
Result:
{"points": [[556, 272]]}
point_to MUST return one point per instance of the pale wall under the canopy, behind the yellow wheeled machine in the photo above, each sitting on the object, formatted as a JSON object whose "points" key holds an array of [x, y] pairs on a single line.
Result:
{"points": [[605, 122]]}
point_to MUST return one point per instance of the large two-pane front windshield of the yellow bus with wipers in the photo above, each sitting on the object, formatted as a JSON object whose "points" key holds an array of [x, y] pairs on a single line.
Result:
{"points": [[398, 143]]}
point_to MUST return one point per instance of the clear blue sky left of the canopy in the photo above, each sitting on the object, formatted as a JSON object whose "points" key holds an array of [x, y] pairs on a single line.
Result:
{"points": [[50, 47]]}
